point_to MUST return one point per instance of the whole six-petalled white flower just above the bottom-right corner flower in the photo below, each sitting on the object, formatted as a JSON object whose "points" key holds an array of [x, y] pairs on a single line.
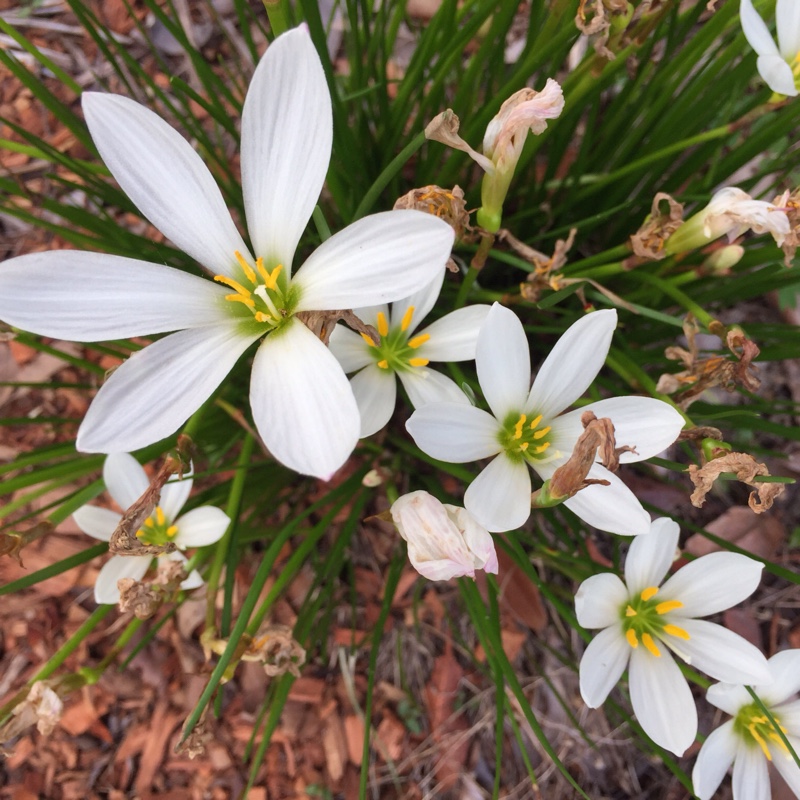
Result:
{"points": [[642, 623]]}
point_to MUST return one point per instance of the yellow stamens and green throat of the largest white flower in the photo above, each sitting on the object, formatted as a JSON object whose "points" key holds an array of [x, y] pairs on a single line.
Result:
{"points": [[269, 300]]}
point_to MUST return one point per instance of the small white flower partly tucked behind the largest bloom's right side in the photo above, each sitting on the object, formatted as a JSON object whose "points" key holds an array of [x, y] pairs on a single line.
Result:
{"points": [[451, 338]]}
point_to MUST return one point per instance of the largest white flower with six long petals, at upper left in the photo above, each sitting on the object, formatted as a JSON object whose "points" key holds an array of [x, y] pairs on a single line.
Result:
{"points": [[302, 403]]}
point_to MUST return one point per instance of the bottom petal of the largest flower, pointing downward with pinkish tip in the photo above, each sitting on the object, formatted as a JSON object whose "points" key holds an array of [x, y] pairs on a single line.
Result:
{"points": [[302, 402]]}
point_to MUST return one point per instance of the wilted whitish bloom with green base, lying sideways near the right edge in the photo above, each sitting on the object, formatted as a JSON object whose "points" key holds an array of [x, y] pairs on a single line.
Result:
{"points": [[730, 212]]}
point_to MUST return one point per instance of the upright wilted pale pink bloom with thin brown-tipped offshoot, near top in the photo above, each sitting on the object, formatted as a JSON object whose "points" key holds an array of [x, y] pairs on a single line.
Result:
{"points": [[525, 111]]}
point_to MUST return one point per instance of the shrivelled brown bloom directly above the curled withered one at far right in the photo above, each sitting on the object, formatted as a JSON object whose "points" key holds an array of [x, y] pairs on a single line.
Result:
{"points": [[703, 373]]}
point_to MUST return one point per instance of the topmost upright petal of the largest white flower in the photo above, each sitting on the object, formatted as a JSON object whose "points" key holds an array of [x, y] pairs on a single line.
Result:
{"points": [[287, 130]]}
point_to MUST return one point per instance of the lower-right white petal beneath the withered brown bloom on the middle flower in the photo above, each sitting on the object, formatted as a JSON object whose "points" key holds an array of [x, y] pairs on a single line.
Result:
{"points": [[612, 508]]}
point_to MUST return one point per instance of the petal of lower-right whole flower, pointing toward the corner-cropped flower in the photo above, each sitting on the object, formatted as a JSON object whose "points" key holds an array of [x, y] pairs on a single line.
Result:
{"points": [[718, 652]]}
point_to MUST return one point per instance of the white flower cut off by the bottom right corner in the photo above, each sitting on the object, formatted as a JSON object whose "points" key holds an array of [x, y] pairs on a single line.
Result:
{"points": [[749, 741]]}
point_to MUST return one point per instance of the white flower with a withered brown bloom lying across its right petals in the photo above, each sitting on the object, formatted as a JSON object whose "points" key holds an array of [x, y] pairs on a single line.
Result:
{"points": [[524, 427]]}
